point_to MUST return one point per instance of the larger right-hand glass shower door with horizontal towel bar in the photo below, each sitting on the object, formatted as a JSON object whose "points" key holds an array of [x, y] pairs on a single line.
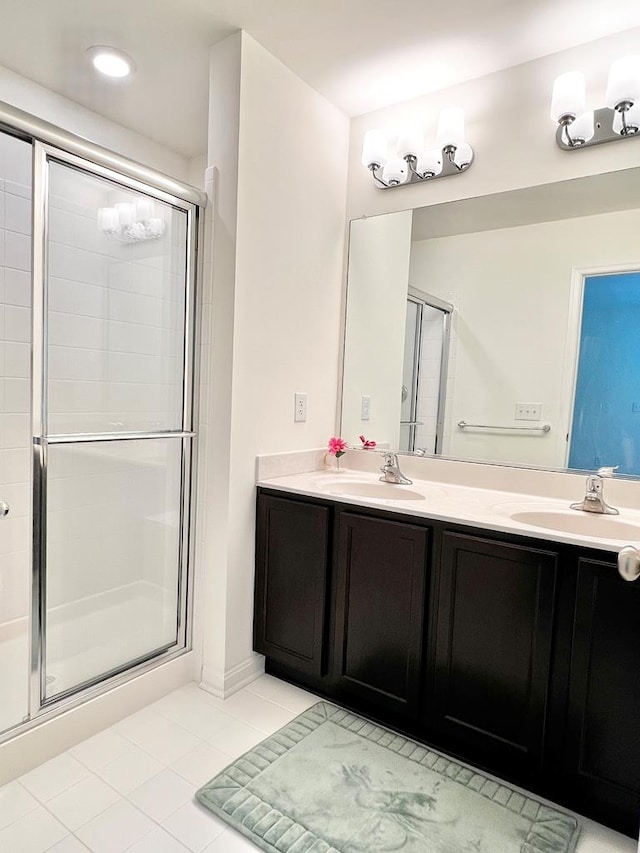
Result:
{"points": [[113, 426]]}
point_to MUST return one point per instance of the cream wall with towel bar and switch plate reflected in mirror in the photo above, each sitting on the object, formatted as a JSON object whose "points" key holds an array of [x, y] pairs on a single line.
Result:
{"points": [[512, 290]]}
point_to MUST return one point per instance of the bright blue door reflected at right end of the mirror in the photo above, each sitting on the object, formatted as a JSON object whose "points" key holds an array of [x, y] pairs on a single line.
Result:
{"points": [[606, 414]]}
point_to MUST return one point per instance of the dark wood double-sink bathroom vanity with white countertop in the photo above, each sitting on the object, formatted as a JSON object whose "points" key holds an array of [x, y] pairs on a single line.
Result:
{"points": [[513, 649]]}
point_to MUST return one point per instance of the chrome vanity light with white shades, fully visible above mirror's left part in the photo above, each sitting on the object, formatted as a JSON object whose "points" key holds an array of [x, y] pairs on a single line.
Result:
{"points": [[408, 162]]}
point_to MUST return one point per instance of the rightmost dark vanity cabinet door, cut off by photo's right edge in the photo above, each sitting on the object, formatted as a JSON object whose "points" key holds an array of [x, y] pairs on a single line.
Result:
{"points": [[602, 743]]}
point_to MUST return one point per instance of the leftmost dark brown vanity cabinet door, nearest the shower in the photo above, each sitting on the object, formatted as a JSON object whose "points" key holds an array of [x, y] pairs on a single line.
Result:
{"points": [[292, 543]]}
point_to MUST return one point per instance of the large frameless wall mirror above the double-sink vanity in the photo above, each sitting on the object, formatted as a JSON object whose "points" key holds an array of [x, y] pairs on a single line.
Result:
{"points": [[504, 328]]}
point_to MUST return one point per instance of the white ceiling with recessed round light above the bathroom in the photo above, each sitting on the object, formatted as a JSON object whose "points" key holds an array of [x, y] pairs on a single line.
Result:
{"points": [[360, 54]]}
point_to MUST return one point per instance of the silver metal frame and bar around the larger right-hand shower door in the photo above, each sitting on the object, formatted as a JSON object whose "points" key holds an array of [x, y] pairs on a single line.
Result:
{"points": [[43, 154]]}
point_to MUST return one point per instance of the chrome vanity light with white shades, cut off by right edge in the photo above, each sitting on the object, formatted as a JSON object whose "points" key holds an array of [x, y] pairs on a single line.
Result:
{"points": [[620, 119]]}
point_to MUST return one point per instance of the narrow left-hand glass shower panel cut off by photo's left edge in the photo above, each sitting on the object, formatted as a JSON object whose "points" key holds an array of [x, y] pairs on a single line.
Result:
{"points": [[15, 428]]}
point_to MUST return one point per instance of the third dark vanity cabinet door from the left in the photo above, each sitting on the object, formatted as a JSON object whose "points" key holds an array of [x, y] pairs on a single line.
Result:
{"points": [[489, 669]]}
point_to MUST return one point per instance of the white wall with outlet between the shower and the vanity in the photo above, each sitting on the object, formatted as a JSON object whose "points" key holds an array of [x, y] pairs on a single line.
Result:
{"points": [[284, 319]]}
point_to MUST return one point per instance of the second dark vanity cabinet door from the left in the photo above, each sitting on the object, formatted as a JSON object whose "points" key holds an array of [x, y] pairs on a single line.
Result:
{"points": [[380, 582]]}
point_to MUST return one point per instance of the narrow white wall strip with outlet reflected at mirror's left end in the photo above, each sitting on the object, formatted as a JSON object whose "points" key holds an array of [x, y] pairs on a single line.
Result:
{"points": [[377, 284]]}
